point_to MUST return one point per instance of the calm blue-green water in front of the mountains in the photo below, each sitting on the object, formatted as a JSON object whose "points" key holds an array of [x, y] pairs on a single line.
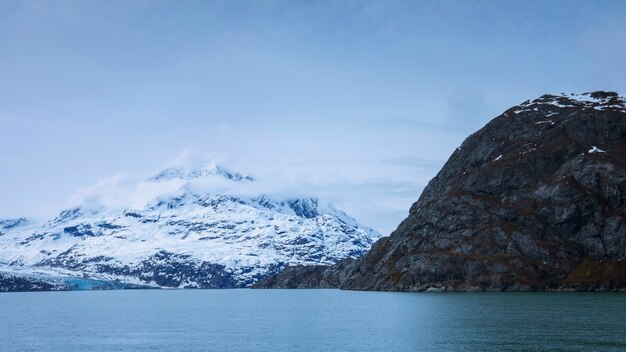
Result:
{"points": [[310, 320]]}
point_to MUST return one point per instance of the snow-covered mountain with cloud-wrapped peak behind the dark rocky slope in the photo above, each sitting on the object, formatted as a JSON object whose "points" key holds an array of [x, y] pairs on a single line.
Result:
{"points": [[189, 236]]}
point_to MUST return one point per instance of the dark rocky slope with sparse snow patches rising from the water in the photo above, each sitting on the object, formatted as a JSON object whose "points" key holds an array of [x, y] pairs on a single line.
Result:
{"points": [[535, 200]]}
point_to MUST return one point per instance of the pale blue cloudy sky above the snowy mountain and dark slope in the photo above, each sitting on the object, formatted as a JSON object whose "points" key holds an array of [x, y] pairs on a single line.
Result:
{"points": [[358, 102]]}
